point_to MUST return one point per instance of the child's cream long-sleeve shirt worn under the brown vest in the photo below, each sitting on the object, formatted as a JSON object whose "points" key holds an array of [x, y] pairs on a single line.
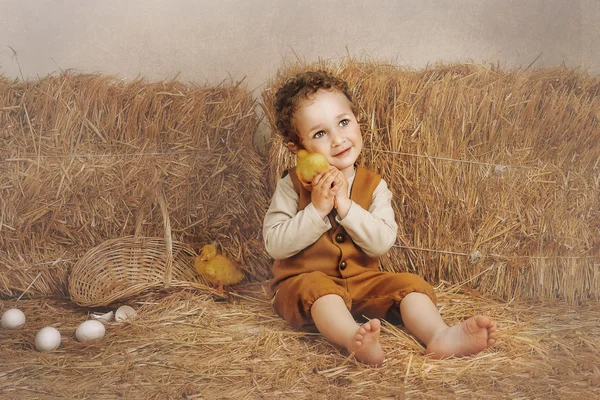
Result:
{"points": [[287, 231]]}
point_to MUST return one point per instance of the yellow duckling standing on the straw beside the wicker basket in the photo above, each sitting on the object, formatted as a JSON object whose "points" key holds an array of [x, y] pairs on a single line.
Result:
{"points": [[216, 268]]}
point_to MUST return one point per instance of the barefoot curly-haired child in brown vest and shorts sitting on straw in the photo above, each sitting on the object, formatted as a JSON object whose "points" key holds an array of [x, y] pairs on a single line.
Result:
{"points": [[326, 237]]}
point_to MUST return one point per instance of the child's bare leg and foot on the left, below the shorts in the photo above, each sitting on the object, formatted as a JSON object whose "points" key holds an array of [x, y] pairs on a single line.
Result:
{"points": [[336, 324]]}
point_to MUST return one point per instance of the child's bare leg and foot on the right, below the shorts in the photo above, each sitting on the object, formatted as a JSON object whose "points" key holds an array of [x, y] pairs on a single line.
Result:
{"points": [[422, 318]]}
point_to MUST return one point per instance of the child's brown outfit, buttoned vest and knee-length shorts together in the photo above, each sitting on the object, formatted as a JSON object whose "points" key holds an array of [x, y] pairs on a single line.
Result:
{"points": [[335, 265]]}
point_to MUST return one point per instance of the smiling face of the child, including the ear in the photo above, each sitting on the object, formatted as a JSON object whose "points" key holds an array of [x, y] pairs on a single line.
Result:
{"points": [[326, 124]]}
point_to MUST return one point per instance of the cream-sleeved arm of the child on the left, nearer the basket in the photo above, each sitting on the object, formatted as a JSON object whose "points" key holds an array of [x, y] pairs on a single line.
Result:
{"points": [[286, 231]]}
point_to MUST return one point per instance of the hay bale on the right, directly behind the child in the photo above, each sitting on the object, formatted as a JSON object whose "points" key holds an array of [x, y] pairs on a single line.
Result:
{"points": [[494, 173]]}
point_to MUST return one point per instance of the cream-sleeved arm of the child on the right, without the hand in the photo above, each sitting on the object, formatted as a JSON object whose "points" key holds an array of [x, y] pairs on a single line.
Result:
{"points": [[373, 230]]}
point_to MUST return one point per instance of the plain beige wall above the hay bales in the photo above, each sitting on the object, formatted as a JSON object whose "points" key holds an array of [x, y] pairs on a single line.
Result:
{"points": [[212, 40]]}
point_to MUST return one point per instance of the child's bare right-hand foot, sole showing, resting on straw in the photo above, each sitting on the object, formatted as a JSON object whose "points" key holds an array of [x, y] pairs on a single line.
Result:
{"points": [[469, 337]]}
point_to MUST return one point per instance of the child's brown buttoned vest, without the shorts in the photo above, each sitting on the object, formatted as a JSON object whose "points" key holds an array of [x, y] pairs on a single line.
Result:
{"points": [[334, 253]]}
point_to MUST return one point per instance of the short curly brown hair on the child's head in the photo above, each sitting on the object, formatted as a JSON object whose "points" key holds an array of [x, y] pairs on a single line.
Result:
{"points": [[298, 88]]}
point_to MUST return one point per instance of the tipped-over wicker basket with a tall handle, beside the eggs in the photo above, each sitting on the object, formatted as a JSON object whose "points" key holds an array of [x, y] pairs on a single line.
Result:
{"points": [[120, 268]]}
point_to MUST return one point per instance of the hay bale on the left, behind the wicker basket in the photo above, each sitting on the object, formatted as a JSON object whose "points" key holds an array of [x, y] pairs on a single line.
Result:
{"points": [[78, 154]]}
